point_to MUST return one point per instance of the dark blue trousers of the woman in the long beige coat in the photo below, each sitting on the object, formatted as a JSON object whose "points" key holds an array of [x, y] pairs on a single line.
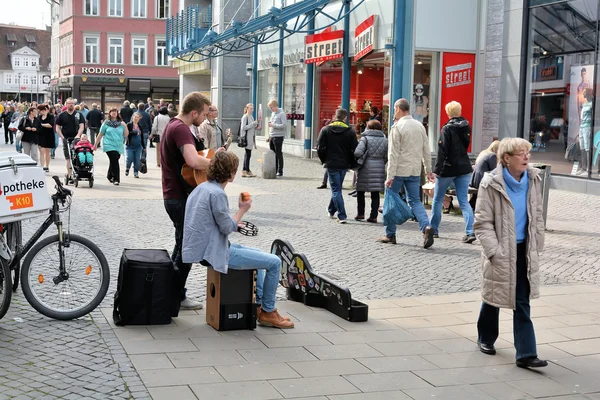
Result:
{"points": [[524, 335]]}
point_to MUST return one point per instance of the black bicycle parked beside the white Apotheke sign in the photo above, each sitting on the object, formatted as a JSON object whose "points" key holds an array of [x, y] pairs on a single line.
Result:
{"points": [[63, 276]]}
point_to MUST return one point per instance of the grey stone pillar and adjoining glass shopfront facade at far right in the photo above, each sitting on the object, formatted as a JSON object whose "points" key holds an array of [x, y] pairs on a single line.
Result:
{"points": [[541, 78]]}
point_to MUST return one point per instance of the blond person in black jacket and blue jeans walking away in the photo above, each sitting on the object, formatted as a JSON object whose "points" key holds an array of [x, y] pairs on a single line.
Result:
{"points": [[453, 166]]}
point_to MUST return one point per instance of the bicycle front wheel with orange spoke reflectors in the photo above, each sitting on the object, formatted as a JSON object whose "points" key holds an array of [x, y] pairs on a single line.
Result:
{"points": [[59, 297]]}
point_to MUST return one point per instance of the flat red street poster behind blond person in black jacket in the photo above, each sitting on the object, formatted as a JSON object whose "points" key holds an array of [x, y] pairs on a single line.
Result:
{"points": [[458, 84]]}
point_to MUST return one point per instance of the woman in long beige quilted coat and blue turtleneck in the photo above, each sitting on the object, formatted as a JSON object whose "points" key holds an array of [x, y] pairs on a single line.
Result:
{"points": [[510, 226]]}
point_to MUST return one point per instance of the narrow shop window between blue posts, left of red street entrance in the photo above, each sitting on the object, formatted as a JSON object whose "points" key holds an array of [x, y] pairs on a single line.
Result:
{"points": [[294, 100]]}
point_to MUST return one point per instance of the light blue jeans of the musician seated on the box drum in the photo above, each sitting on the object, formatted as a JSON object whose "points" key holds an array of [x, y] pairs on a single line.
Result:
{"points": [[243, 258]]}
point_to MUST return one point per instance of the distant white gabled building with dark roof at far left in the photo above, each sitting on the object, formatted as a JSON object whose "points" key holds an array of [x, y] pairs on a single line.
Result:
{"points": [[25, 63]]}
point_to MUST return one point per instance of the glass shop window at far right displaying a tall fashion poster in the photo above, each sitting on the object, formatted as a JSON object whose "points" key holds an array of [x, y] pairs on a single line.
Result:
{"points": [[562, 111]]}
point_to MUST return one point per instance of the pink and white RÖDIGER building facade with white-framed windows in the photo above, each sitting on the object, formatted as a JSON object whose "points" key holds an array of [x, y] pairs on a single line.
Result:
{"points": [[109, 51]]}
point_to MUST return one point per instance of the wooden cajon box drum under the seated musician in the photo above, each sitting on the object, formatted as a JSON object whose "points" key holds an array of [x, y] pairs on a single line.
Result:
{"points": [[230, 299]]}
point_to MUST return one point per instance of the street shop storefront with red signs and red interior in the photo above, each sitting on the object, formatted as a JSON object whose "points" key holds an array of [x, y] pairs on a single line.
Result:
{"points": [[443, 70]]}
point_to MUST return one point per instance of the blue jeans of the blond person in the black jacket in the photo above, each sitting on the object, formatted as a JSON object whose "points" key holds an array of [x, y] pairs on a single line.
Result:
{"points": [[461, 184]]}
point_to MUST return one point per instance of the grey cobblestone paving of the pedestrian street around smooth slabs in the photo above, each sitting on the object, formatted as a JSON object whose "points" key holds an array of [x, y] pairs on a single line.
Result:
{"points": [[78, 358]]}
